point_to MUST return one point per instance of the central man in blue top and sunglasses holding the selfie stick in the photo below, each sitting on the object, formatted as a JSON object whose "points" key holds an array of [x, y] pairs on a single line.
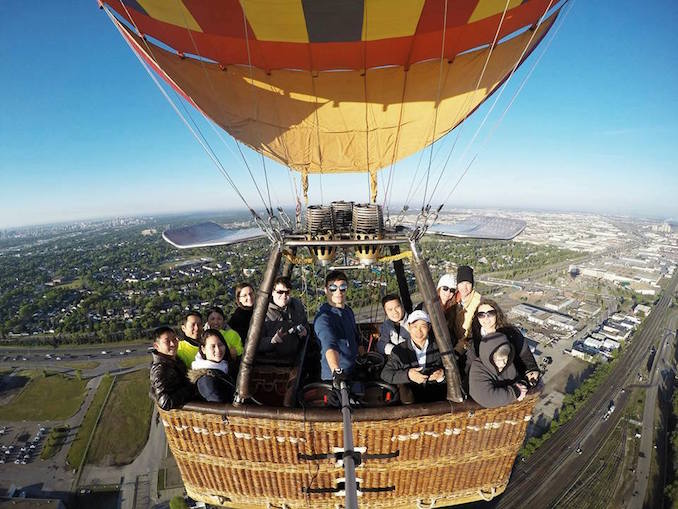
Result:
{"points": [[336, 330]]}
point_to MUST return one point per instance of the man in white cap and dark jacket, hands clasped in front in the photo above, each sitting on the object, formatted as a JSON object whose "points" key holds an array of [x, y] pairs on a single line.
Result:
{"points": [[415, 365]]}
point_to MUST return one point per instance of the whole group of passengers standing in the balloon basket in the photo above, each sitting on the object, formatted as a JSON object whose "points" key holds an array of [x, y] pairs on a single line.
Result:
{"points": [[492, 355]]}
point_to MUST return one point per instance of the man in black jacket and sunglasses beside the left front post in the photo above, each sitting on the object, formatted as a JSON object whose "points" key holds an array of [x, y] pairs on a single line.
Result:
{"points": [[285, 325]]}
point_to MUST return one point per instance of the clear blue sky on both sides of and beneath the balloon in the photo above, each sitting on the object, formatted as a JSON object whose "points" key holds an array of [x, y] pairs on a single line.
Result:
{"points": [[85, 133]]}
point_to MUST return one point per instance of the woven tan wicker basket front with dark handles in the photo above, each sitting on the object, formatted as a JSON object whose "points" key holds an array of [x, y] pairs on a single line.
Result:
{"points": [[428, 455]]}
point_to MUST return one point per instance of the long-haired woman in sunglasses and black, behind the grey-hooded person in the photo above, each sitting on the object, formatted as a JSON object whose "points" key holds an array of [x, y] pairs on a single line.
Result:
{"points": [[488, 320]]}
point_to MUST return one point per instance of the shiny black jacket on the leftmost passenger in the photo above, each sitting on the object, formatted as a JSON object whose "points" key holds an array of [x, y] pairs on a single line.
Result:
{"points": [[169, 385]]}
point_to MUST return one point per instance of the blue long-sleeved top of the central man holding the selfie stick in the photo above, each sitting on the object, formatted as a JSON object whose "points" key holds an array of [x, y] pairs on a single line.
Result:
{"points": [[335, 329]]}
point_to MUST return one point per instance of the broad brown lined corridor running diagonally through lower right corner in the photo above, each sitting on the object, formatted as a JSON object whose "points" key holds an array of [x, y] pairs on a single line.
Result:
{"points": [[550, 471]]}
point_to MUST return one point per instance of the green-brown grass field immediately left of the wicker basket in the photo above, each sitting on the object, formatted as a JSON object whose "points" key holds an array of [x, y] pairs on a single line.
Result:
{"points": [[125, 423]]}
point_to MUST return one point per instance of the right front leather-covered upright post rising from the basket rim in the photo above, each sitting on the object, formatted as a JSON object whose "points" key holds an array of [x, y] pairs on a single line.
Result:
{"points": [[439, 325]]}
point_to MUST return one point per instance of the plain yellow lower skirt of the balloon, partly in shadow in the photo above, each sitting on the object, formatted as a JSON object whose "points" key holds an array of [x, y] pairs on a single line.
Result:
{"points": [[345, 121]]}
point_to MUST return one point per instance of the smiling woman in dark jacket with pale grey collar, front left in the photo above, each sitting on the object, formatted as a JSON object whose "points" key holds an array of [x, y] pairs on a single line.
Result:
{"points": [[210, 369]]}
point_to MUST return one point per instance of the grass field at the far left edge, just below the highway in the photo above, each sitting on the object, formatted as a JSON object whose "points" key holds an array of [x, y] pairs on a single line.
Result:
{"points": [[51, 397]]}
